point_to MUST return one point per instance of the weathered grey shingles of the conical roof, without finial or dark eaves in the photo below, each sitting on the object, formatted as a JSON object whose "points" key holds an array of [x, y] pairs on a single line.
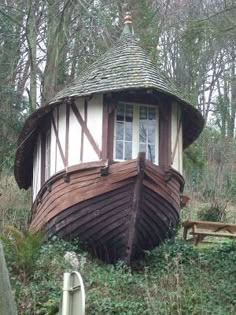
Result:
{"points": [[125, 66]]}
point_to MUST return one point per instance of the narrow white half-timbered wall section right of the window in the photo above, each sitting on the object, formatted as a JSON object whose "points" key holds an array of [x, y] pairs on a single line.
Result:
{"points": [[176, 138]]}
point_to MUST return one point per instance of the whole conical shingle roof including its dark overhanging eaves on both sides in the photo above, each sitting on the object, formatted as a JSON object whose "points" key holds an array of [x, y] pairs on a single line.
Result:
{"points": [[125, 66]]}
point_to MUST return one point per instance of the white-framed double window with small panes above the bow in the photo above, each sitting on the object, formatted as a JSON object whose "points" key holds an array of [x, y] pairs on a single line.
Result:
{"points": [[136, 131]]}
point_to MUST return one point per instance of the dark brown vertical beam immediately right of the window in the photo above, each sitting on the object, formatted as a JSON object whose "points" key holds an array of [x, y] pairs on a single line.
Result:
{"points": [[165, 135]]}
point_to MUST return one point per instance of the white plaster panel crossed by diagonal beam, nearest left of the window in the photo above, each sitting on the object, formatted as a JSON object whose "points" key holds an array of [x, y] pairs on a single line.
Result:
{"points": [[94, 124]]}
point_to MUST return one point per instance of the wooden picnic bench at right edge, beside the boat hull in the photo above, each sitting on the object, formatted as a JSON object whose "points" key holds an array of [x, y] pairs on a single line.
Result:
{"points": [[201, 229]]}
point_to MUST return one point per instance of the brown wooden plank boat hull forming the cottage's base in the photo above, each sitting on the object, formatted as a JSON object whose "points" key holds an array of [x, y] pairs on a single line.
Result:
{"points": [[117, 212]]}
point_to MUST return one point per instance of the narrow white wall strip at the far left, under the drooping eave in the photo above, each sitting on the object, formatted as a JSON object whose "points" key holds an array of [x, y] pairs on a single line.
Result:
{"points": [[37, 168]]}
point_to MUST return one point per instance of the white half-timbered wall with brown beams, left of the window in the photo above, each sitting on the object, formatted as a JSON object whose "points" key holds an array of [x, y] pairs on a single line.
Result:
{"points": [[76, 137]]}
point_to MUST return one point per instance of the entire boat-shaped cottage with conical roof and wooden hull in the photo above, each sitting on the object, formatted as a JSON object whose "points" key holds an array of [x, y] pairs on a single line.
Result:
{"points": [[105, 156]]}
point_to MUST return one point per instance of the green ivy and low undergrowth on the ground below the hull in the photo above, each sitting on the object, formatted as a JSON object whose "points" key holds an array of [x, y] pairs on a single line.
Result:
{"points": [[175, 278]]}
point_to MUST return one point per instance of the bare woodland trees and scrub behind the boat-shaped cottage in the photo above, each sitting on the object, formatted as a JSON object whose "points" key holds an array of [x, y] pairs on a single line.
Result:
{"points": [[44, 45]]}
